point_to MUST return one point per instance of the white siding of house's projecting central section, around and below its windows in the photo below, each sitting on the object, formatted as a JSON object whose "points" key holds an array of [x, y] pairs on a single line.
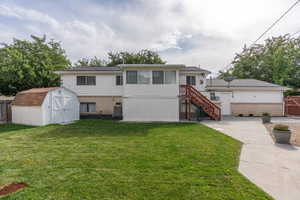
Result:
{"points": [[147, 102]]}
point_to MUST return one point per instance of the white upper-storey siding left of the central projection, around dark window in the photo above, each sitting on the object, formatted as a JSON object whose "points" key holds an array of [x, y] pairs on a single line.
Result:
{"points": [[105, 85]]}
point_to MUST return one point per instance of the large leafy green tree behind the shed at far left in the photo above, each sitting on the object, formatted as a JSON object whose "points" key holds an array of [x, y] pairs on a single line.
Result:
{"points": [[30, 64]]}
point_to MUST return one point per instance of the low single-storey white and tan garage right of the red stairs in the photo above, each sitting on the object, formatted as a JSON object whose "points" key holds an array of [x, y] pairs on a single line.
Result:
{"points": [[248, 97]]}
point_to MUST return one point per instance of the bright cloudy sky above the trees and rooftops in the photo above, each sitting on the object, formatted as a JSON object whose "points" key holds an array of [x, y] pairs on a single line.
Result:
{"points": [[206, 33]]}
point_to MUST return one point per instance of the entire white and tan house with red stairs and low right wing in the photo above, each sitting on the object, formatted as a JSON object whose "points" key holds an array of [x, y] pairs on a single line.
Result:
{"points": [[166, 92]]}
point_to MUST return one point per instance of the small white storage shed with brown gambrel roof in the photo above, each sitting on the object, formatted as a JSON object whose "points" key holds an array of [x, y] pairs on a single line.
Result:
{"points": [[42, 106]]}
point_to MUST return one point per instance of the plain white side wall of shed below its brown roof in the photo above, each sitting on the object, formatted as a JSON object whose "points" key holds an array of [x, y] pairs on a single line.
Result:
{"points": [[29, 115]]}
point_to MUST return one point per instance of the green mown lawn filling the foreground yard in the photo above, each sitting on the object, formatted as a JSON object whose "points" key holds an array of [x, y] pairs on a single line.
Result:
{"points": [[94, 159]]}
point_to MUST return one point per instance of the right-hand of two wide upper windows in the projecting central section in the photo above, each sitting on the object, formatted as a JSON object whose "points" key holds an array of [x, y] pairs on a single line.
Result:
{"points": [[164, 77]]}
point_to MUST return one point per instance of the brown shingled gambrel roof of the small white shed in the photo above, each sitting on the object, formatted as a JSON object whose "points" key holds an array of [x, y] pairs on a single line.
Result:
{"points": [[32, 97]]}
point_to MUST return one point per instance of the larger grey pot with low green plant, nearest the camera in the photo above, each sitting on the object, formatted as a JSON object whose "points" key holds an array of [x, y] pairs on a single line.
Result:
{"points": [[282, 134]]}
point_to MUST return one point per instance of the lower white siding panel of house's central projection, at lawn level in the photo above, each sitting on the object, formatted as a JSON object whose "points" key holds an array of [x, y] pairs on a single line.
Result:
{"points": [[151, 109]]}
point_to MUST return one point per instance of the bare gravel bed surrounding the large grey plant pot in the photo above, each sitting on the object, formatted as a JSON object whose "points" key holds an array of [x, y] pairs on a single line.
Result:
{"points": [[294, 127]]}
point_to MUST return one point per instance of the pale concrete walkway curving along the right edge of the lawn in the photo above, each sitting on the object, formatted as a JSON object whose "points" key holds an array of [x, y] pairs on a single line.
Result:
{"points": [[273, 167]]}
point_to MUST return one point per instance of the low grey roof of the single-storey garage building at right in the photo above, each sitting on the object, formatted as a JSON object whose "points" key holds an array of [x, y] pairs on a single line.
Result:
{"points": [[243, 83]]}
